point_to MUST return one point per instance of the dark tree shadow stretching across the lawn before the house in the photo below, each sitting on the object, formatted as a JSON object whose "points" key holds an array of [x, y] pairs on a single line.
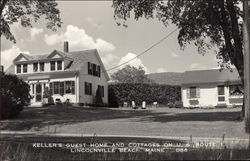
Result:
{"points": [[45, 116]]}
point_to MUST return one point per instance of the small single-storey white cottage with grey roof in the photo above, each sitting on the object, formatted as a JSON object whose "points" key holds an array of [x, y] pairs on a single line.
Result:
{"points": [[209, 88]]}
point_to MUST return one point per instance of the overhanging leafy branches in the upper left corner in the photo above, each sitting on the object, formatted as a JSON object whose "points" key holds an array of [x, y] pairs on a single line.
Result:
{"points": [[13, 11]]}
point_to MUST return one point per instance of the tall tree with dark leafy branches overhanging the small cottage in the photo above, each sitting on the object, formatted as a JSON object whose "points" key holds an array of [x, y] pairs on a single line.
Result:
{"points": [[206, 23]]}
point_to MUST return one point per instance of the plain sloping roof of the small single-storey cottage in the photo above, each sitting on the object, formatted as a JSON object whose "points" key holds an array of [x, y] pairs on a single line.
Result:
{"points": [[210, 76]]}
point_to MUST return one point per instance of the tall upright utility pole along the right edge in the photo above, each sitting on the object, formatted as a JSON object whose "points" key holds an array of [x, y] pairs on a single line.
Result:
{"points": [[246, 25]]}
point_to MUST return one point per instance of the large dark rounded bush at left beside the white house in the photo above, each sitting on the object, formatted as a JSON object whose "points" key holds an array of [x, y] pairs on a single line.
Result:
{"points": [[14, 95]]}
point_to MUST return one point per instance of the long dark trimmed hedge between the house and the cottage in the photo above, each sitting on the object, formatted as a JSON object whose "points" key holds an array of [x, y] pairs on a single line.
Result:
{"points": [[138, 92]]}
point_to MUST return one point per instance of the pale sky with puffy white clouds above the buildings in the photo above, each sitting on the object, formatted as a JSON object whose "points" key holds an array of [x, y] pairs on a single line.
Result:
{"points": [[90, 24]]}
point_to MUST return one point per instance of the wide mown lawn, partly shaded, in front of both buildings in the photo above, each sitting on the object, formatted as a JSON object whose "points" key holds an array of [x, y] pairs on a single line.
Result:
{"points": [[123, 121]]}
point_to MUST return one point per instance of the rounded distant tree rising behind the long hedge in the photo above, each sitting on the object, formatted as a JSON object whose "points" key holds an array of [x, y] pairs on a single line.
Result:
{"points": [[130, 74]]}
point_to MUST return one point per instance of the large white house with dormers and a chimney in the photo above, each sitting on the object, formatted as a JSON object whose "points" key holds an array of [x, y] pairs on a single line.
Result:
{"points": [[70, 76]]}
